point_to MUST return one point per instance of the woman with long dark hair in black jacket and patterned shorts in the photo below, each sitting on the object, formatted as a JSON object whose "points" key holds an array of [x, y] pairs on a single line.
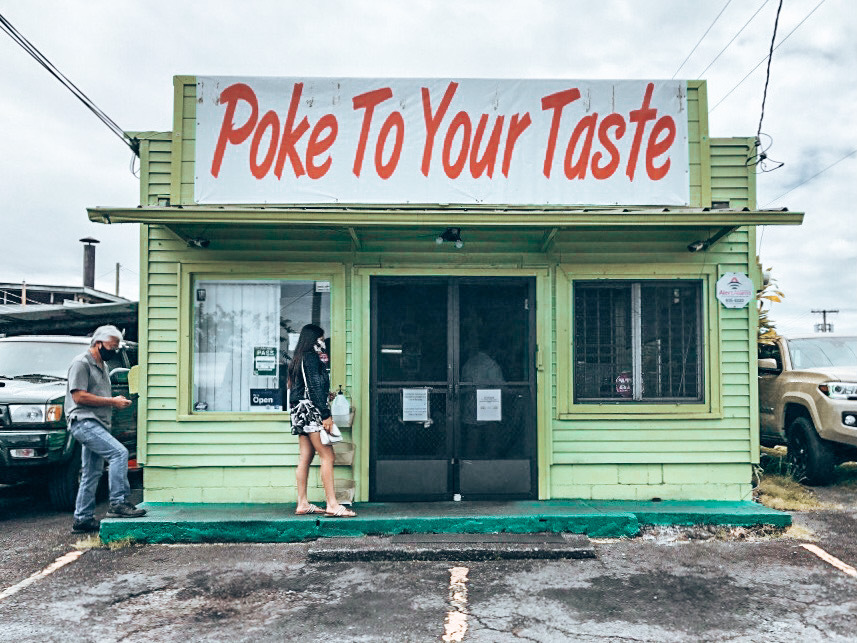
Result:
{"points": [[309, 392]]}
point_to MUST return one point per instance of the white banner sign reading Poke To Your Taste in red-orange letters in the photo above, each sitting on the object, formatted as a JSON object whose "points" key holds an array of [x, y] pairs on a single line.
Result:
{"points": [[361, 140]]}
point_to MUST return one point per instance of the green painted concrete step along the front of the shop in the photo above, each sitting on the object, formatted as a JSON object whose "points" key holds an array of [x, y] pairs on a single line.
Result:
{"points": [[195, 523]]}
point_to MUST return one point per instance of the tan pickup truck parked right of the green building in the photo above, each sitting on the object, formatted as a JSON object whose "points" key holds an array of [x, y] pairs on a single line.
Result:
{"points": [[808, 401]]}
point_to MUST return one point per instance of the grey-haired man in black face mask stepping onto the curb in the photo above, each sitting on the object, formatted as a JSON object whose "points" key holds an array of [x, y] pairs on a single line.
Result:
{"points": [[89, 404]]}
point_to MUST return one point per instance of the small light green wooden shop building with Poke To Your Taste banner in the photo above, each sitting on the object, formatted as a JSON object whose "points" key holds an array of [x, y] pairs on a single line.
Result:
{"points": [[489, 349]]}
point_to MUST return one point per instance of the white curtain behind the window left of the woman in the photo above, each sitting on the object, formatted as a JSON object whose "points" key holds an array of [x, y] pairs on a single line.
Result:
{"points": [[235, 323]]}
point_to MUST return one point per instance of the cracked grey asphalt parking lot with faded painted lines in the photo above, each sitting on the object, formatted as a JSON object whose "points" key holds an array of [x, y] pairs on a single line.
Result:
{"points": [[668, 585]]}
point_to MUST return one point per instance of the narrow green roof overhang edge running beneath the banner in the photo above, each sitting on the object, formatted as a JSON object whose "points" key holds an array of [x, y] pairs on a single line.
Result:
{"points": [[434, 215]]}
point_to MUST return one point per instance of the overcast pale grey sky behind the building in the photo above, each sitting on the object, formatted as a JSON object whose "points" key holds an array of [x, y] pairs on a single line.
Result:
{"points": [[56, 159]]}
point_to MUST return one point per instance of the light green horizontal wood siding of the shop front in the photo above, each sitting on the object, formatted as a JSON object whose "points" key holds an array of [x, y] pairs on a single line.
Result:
{"points": [[639, 449]]}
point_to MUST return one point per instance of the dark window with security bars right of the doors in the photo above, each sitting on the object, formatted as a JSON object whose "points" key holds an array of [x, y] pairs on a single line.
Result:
{"points": [[637, 341]]}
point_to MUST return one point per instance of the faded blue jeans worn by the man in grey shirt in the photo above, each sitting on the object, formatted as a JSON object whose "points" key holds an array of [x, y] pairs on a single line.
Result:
{"points": [[98, 446]]}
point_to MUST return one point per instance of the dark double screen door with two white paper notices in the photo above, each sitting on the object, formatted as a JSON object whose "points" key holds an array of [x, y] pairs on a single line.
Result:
{"points": [[453, 389]]}
